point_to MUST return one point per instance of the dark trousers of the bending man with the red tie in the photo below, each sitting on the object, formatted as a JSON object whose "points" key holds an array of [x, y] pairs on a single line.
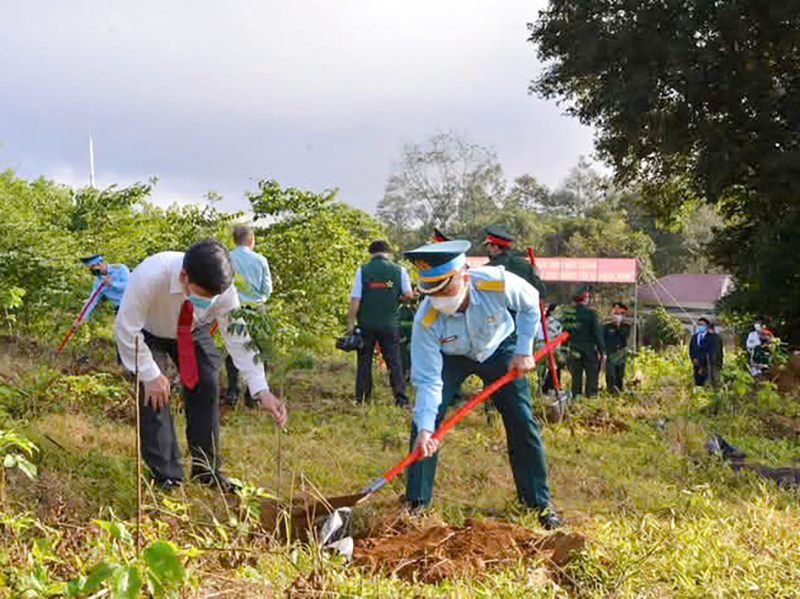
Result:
{"points": [[159, 444]]}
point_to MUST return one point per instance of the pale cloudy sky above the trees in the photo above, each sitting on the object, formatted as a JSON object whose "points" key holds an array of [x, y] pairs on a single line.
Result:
{"points": [[314, 93]]}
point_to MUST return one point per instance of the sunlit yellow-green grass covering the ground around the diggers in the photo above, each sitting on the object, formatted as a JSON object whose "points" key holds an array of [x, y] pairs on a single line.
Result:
{"points": [[663, 518]]}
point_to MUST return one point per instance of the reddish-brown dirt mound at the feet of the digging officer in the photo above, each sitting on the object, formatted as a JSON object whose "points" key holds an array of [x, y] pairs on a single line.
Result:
{"points": [[432, 553]]}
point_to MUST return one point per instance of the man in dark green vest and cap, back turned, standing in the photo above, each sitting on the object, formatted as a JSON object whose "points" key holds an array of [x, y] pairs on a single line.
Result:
{"points": [[378, 287]]}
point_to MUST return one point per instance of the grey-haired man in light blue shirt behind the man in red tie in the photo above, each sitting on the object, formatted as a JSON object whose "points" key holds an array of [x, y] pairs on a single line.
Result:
{"points": [[254, 284]]}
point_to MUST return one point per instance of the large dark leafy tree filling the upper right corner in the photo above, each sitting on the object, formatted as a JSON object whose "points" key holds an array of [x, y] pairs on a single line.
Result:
{"points": [[694, 99]]}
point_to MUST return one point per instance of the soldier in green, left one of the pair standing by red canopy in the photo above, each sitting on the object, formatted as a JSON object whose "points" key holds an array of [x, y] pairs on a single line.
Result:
{"points": [[586, 344]]}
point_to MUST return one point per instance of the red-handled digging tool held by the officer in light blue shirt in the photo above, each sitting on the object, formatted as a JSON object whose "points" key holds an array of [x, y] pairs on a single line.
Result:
{"points": [[304, 511]]}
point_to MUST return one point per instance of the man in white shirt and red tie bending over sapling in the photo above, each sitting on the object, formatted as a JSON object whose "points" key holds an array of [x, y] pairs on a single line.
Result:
{"points": [[171, 300]]}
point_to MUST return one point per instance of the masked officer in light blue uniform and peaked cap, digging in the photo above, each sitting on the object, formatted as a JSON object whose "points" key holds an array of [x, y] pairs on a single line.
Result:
{"points": [[464, 327]]}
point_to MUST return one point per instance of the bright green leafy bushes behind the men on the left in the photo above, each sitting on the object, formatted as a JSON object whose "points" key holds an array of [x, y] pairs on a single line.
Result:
{"points": [[313, 244]]}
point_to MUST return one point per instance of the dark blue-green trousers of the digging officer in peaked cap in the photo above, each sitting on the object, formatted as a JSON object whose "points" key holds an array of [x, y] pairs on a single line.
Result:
{"points": [[513, 401]]}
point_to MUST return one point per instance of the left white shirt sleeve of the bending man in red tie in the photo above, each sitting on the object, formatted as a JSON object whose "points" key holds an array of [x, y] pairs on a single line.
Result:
{"points": [[131, 320]]}
